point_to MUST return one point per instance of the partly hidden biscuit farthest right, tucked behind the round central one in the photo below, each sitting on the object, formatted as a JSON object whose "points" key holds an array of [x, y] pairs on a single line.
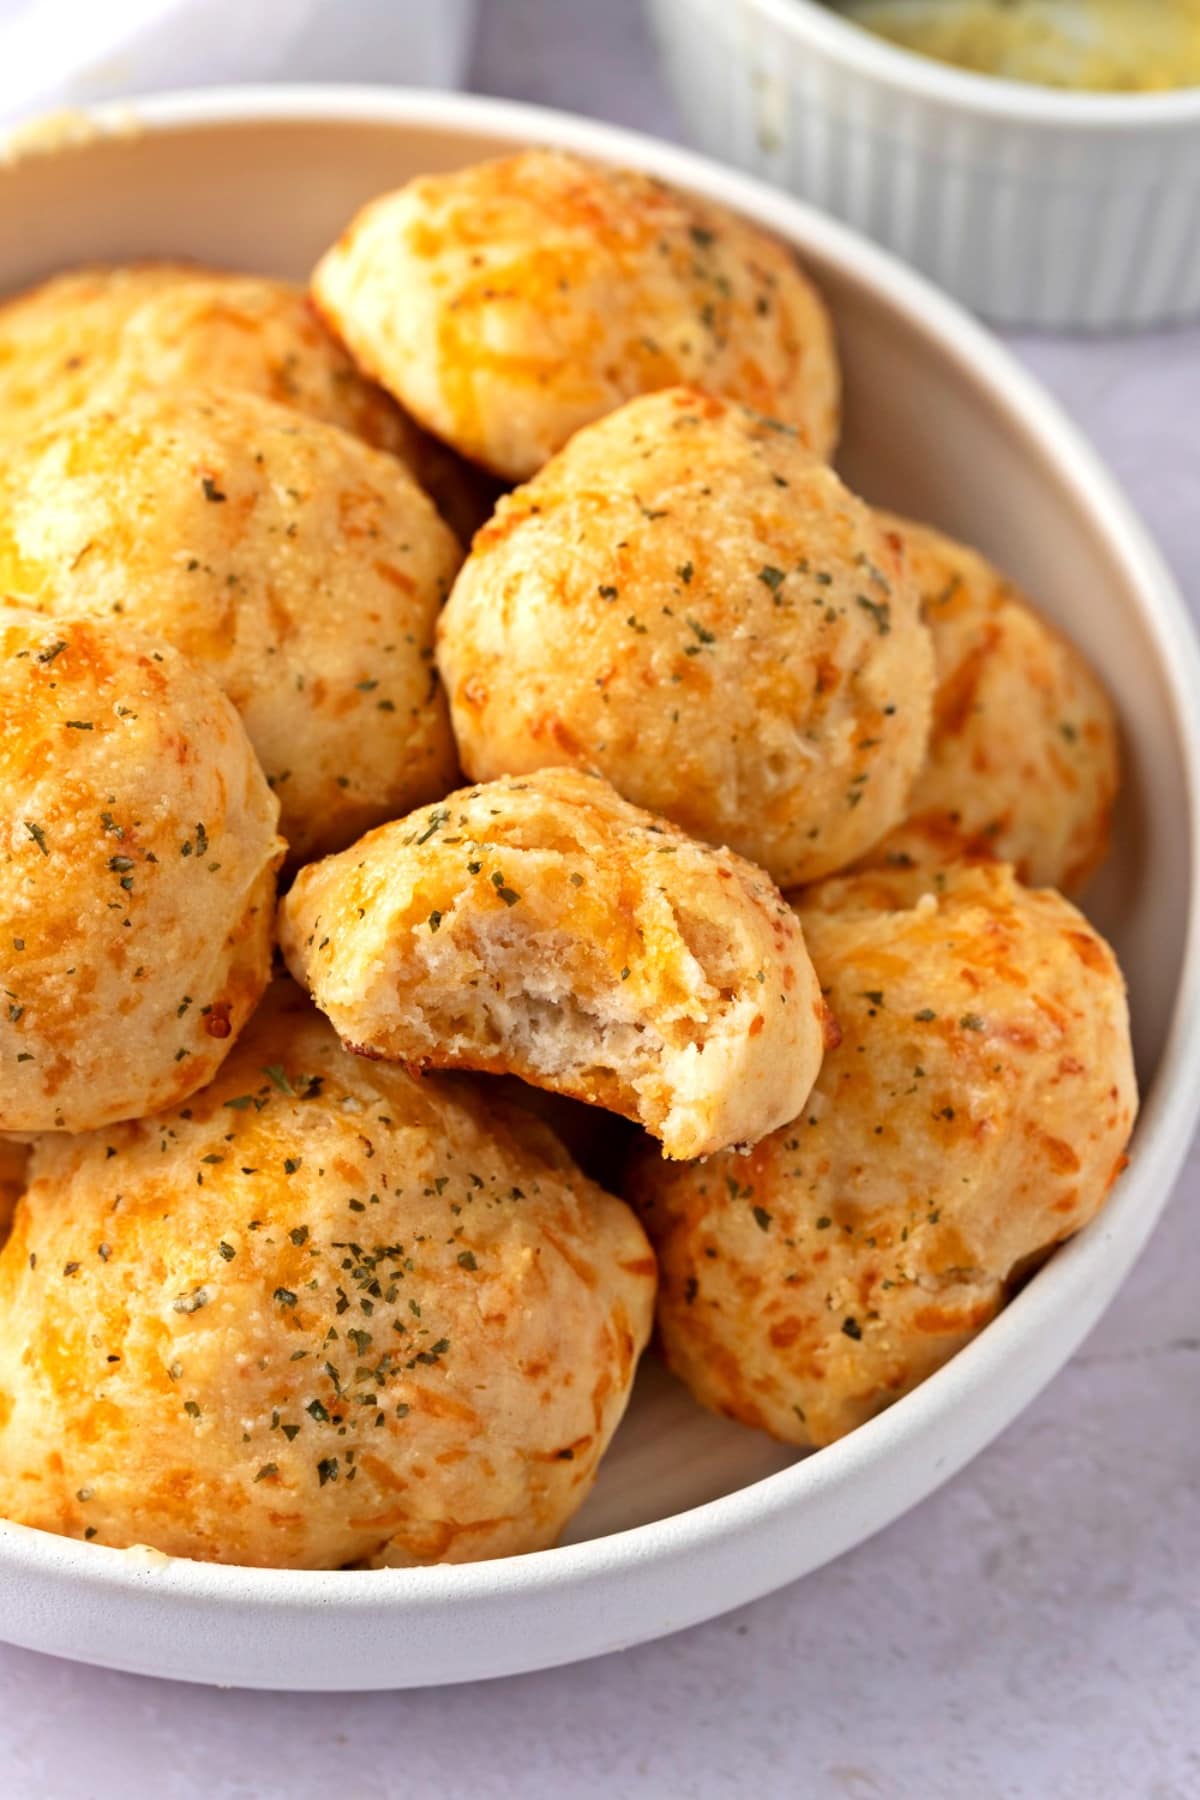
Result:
{"points": [[1023, 759]]}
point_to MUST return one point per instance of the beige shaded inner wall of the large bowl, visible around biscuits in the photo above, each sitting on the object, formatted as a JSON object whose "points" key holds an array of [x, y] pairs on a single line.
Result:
{"points": [[926, 433]]}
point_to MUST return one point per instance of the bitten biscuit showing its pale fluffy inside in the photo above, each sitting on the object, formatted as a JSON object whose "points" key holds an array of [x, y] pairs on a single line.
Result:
{"points": [[548, 930]]}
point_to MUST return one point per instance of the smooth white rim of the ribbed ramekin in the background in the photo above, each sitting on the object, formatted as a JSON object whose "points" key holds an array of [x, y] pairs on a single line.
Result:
{"points": [[924, 78]]}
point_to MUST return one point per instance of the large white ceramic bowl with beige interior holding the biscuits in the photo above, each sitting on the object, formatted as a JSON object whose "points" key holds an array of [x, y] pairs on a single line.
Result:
{"points": [[692, 1515]]}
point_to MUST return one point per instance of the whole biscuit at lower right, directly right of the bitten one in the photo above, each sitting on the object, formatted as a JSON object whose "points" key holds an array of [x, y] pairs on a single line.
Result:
{"points": [[974, 1115]]}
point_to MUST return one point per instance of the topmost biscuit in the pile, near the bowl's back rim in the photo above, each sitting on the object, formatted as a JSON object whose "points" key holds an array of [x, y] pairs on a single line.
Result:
{"points": [[512, 303]]}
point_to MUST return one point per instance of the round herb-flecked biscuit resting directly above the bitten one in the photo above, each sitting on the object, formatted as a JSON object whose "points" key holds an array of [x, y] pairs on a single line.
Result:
{"points": [[695, 607]]}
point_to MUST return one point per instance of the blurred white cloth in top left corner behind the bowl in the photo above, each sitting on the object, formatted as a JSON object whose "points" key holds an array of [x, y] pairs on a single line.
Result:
{"points": [[67, 53]]}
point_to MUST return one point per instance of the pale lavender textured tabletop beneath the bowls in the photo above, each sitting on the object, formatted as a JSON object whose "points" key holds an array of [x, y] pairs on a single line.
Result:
{"points": [[1034, 1630]]}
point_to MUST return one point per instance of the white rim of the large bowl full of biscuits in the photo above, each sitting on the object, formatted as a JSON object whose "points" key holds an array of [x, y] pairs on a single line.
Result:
{"points": [[1079, 1281]]}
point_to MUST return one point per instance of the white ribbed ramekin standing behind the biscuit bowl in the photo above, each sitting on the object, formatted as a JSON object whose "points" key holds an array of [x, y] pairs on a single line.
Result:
{"points": [[1034, 206]]}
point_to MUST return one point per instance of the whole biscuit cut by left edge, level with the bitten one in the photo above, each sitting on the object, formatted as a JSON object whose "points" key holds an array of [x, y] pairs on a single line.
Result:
{"points": [[138, 876]]}
